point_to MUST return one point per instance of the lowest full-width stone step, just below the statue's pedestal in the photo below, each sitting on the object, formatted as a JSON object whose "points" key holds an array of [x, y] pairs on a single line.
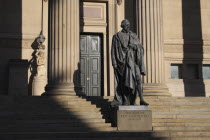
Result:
{"points": [[108, 134]]}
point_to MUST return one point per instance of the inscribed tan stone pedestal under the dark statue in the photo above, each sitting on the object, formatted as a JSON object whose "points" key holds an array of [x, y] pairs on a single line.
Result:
{"points": [[134, 118]]}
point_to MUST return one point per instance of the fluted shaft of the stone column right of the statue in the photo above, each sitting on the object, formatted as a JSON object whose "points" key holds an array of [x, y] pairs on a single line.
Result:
{"points": [[150, 31]]}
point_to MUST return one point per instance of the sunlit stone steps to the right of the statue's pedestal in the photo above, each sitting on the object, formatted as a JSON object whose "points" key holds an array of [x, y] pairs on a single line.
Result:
{"points": [[189, 115]]}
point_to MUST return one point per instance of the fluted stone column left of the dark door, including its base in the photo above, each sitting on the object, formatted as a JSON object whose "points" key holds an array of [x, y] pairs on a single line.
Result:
{"points": [[63, 46]]}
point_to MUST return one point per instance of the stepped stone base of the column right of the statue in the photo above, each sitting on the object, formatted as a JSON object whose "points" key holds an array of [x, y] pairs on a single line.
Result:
{"points": [[156, 90]]}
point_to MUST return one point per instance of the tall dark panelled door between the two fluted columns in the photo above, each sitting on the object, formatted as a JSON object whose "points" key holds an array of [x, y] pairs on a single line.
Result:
{"points": [[90, 64]]}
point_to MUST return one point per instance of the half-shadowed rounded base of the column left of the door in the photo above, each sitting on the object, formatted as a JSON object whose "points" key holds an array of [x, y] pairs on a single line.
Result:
{"points": [[59, 90]]}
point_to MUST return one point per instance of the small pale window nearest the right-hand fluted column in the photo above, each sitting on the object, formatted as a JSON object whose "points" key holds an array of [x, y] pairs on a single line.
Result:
{"points": [[176, 71]]}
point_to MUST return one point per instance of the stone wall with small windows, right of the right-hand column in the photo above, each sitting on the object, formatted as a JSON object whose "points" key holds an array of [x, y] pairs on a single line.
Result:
{"points": [[186, 41]]}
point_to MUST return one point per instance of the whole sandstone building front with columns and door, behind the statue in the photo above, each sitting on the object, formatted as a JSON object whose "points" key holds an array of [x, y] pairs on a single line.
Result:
{"points": [[175, 35]]}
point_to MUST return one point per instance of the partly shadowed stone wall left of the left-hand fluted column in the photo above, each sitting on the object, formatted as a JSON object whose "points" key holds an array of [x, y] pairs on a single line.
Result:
{"points": [[20, 26]]}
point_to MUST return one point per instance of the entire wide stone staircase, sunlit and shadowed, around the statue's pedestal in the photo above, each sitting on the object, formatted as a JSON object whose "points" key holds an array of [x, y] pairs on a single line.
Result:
{"points": [[88, 118]]}
